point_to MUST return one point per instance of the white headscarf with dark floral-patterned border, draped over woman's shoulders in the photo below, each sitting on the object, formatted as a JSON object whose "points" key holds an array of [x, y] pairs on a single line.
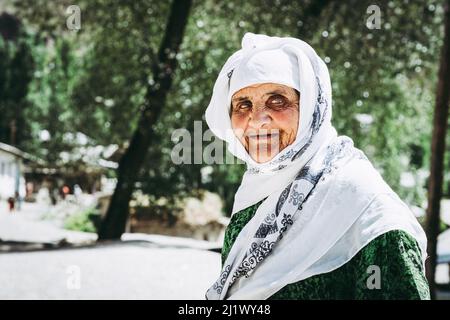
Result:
{"points": [[324, 201]]}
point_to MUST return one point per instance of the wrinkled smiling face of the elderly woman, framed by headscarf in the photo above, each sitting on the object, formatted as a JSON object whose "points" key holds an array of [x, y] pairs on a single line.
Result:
{"points": [[265, 118]]}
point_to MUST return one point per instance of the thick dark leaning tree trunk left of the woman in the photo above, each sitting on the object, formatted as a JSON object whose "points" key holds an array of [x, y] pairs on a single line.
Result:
{"points": [[131, 162]]}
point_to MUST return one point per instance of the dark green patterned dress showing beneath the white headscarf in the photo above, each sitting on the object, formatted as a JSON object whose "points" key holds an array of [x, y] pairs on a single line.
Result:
{"points": [[396, 253]]}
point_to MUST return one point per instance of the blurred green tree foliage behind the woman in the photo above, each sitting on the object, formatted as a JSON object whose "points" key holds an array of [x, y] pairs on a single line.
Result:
{"points": [[92, 81]]}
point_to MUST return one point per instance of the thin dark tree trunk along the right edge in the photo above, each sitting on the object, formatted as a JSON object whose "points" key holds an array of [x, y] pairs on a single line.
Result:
{"points": [[437, 152]]}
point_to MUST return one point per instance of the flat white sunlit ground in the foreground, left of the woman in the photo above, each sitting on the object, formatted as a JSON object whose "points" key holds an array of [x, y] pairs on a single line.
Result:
{"points": [[116, 271]]}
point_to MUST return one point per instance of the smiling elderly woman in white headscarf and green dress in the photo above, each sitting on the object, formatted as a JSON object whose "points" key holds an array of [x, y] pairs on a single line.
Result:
{"points": [[312, 218]]}
